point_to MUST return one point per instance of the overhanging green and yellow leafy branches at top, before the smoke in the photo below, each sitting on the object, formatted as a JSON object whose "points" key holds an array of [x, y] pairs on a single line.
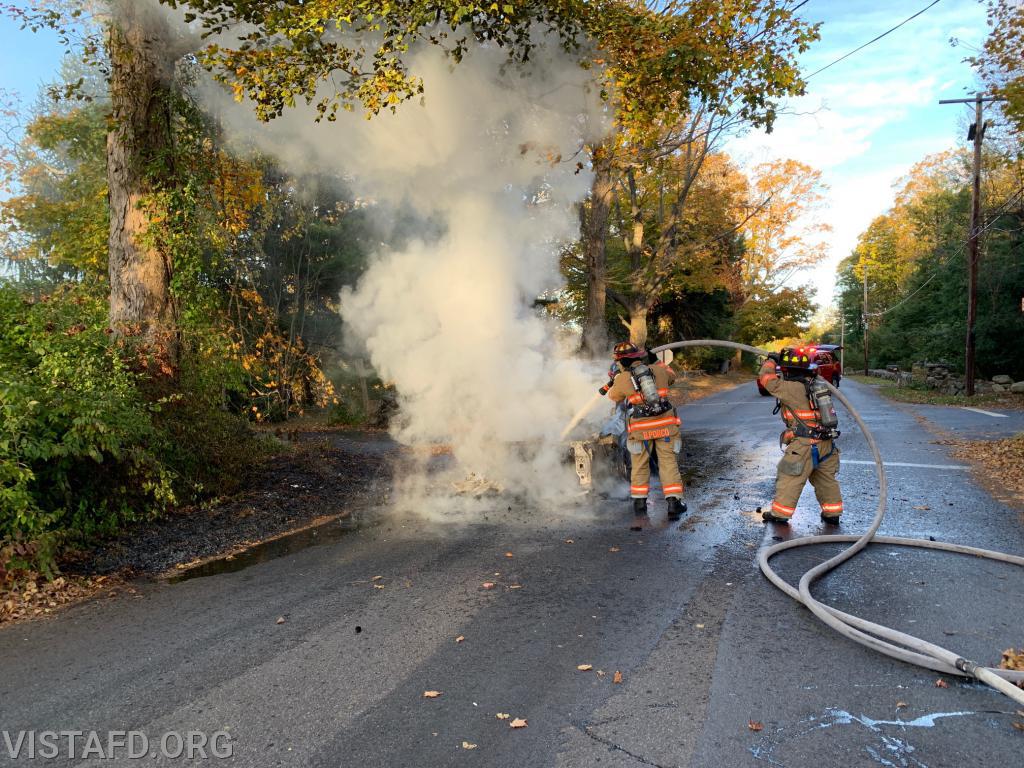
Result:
{"points": [[287, 52]]}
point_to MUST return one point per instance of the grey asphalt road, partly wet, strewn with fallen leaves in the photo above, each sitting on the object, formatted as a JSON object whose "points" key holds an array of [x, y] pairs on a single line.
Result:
{"points": [[704, 644]]}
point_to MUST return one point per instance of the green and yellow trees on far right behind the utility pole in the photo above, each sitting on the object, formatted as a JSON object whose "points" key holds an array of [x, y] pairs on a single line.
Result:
{"points": [[917, 281]]}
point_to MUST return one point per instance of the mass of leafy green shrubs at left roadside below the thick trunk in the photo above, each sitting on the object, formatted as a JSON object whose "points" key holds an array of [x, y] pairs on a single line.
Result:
{"points": [[89, 444]]}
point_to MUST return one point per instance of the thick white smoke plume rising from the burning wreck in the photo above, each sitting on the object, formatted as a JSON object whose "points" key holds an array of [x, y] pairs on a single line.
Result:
{"points": [[492, 153]]}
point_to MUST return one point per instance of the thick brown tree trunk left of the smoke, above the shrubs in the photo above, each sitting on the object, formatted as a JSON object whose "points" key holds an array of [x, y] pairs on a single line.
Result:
{"points": [[139, 159]]}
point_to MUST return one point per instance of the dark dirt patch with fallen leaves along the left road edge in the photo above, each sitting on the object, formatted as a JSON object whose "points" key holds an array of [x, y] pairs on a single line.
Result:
{"points": [[324, 474]]}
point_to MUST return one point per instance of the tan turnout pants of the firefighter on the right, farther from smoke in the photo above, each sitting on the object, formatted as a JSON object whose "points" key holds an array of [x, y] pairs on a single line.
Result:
{"points": [[797, 467]]}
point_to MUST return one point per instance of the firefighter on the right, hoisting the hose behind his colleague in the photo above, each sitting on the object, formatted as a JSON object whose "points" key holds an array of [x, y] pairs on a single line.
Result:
{"points": [[812, 454]]}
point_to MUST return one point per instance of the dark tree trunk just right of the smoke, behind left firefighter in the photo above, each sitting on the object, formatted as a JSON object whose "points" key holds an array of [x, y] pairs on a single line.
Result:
{"points": [[594, 231]]}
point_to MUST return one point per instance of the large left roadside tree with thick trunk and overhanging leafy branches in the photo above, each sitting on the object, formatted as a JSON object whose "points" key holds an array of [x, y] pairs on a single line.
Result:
{"points": [[286, 52]]}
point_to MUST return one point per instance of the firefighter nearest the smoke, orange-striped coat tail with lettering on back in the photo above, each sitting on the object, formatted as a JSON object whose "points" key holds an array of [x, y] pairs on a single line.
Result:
{"points": [[642, 382]]}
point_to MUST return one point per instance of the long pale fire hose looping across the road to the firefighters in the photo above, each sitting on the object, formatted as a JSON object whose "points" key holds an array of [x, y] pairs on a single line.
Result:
{"points": [[883, 639]]}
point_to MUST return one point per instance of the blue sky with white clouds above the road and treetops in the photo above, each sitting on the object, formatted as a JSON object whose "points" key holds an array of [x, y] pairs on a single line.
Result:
{"points": [[864, 122]]}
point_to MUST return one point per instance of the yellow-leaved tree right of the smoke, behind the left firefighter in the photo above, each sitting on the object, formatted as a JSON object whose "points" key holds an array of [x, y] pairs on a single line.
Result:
{"points": [[684, 74]]}
